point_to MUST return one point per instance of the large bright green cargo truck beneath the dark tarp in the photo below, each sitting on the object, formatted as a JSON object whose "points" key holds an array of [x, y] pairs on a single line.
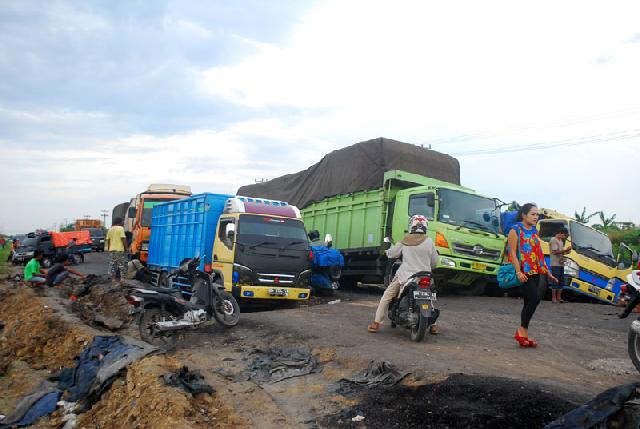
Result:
{"points": [[463, 224]]}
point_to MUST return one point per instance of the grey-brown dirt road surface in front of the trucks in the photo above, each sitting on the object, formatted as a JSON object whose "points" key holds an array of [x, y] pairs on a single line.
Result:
{"points": [[582, 350]]}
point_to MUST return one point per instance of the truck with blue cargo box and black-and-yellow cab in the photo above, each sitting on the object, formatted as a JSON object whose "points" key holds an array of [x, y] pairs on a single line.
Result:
{"points": [[260, 246]]}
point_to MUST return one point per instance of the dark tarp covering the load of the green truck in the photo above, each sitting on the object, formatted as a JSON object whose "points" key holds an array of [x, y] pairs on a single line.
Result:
{"points": [[359, 167]]}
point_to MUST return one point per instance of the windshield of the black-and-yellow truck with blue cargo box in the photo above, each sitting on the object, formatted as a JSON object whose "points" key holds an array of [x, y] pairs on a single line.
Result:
{"points": [[257, 229]]}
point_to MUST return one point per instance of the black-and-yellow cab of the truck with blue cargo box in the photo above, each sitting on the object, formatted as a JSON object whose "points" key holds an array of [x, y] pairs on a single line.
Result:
{"points": [[262, 249]]}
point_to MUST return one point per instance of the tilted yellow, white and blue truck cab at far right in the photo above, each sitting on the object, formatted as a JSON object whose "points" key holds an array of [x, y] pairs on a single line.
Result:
{"points": [[590, 268]]}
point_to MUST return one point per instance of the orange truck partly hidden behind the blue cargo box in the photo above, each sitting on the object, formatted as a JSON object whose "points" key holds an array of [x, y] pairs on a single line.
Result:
{"points": [[139, 214]]}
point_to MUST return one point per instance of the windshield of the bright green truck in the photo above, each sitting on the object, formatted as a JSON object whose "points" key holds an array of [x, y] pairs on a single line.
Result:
{"points": [[468, 210]]}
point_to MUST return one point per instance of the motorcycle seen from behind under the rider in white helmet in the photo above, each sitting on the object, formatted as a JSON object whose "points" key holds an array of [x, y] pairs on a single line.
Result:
{"points": [[414, 307]]}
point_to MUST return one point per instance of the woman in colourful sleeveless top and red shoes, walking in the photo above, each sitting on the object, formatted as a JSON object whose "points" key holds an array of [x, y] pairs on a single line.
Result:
{"points": [[525, 254]]}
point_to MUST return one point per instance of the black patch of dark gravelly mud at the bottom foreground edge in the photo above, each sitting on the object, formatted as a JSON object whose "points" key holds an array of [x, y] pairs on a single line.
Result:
{"points": [[461, 401]]}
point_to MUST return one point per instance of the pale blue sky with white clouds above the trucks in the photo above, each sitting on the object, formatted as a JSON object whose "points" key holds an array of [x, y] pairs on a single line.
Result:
{"points": [[539, 101]]}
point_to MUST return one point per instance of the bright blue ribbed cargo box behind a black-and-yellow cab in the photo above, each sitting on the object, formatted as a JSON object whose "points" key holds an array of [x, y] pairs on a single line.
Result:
{"points": [[183, 229]]}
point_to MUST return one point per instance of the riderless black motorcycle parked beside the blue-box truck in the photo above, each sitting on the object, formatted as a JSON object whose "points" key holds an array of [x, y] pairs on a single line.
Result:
{"points": [[163, 313]]}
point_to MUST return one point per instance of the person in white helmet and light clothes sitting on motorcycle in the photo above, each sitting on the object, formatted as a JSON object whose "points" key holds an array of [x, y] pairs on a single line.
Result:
{"points": [[418, 254]]}
